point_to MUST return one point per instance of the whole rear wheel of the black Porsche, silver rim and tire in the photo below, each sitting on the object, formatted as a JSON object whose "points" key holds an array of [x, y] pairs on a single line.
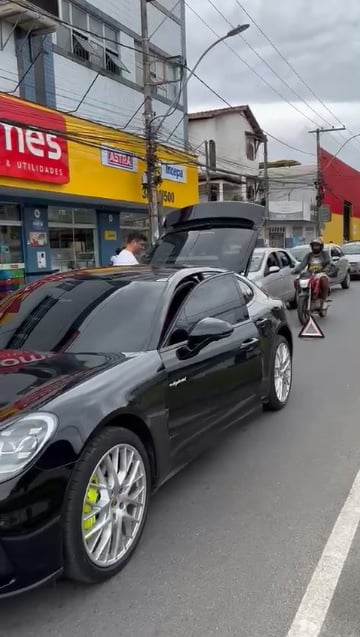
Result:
{"points": [[280, 375]]}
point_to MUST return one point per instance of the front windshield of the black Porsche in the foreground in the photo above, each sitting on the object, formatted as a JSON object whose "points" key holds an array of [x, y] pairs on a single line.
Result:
{"points": [[80, 314]]}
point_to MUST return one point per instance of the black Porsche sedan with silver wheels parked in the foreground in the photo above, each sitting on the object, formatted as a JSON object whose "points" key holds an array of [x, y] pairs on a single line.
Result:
{"points": [[110, 381]]}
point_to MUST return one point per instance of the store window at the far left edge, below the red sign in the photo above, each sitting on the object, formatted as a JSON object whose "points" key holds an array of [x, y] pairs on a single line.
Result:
{"points": [[10, 235]]}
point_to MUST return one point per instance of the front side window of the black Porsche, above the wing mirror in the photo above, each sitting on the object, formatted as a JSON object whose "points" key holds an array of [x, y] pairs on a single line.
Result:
{"points": [[217, 297]]}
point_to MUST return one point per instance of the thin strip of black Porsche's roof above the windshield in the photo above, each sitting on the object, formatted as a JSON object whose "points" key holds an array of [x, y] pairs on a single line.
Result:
{"points": [[133, 273]]}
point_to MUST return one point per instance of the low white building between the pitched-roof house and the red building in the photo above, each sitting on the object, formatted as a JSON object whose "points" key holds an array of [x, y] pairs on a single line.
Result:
{"points": [[292, 200]]}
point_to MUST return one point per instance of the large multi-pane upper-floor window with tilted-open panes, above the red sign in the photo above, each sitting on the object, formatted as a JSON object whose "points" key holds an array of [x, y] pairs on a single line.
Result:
{"points": [[89, 39]]}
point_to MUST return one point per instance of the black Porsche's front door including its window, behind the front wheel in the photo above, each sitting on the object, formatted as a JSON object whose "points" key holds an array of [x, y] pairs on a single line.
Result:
{"points": [[222, 382]]}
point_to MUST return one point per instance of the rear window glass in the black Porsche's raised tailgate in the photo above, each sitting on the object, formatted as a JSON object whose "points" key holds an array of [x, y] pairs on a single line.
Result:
{"points": [[217, 247]]}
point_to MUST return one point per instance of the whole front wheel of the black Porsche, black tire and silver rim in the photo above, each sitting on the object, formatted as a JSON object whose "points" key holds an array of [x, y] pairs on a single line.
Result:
{"points": [[89, 505]]}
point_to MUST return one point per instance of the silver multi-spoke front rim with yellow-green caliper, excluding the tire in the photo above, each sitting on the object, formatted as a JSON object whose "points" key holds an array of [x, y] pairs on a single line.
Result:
{"points": [[114, 505]]}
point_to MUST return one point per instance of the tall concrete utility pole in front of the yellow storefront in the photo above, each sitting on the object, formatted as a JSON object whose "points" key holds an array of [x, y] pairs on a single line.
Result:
{"points": [[152, 177]]}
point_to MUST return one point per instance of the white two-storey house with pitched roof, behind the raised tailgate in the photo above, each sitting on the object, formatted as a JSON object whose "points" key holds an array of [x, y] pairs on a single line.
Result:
{"points": [[227, 141]]}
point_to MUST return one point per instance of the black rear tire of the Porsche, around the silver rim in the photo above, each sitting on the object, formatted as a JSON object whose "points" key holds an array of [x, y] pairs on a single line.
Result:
{"points": [[274, 401]]}
